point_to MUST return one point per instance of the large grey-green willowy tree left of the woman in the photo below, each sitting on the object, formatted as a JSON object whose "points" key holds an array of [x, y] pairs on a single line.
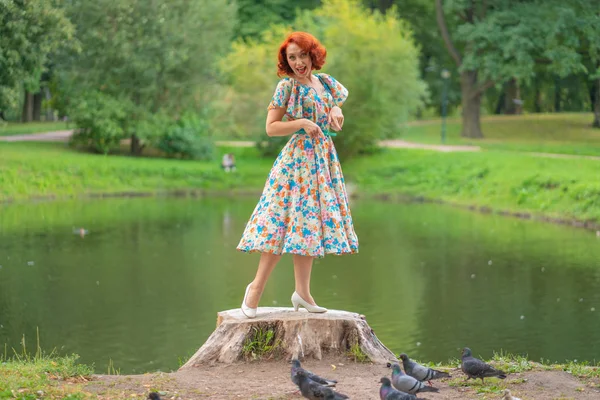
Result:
{"points": [[151, 56]]}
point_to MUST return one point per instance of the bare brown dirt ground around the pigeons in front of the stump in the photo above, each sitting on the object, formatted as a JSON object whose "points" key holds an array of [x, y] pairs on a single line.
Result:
{"points": [[271, 380]]}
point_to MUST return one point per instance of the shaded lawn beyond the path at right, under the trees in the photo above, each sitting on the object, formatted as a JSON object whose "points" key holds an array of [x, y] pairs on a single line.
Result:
{"points": [[568, 133]]}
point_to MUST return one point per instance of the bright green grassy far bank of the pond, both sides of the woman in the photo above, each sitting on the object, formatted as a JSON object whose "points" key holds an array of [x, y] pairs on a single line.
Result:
{"points": [[517, 182]]}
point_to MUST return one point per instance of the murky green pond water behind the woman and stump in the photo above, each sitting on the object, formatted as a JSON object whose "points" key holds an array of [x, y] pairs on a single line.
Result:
{"points": [[142, 289]]}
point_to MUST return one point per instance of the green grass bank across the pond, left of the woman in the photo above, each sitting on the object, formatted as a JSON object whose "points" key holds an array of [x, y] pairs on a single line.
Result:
{"points": [[30, 170]]}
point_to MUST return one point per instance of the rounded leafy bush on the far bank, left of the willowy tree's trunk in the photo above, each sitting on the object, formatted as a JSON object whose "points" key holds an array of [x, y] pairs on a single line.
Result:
{"points": [[99, 119]]}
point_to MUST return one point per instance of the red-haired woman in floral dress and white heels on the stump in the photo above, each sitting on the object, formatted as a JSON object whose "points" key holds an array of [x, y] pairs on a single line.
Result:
{"points": [[303, 209]]}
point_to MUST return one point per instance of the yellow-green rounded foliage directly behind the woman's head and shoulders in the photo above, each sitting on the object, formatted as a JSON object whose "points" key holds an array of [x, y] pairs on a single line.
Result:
{"points": [[357, 41]]}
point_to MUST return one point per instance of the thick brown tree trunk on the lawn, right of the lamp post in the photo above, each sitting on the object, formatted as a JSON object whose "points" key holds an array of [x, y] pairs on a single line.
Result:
{"points": [[471, 105]]}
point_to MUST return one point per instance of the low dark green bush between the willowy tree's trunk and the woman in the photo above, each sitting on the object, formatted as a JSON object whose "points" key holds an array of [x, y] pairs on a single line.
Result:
{"points": [[189, 137]]}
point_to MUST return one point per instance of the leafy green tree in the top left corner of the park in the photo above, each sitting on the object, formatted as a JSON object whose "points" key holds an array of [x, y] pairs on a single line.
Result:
{"points": [[29, 32]]}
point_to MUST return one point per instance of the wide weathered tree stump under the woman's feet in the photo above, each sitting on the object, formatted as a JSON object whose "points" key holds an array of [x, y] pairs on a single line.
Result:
{"points": [[283, 332]]}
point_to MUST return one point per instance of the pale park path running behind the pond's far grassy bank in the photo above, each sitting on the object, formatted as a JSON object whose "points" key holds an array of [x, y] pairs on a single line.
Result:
{"points": [[63, 136]]}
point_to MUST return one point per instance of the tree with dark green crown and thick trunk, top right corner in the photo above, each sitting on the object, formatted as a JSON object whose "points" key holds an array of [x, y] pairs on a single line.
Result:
{"points": [[493, 42]]}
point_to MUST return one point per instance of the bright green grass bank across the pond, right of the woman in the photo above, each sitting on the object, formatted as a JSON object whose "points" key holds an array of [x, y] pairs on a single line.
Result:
{"points": [[517, 182]]}
